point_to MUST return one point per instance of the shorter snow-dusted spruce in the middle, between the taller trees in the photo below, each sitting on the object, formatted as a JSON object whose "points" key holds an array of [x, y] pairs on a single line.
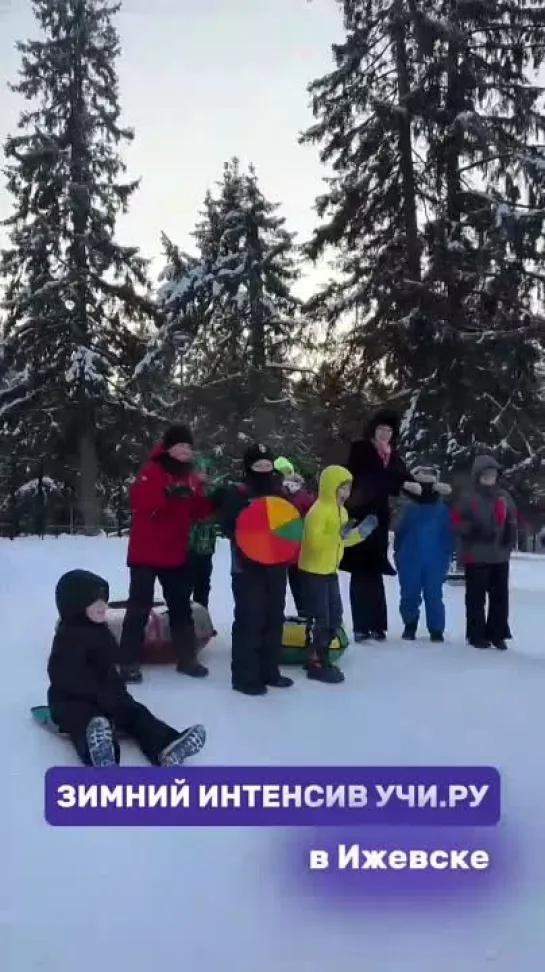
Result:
{"points": [[232, 306]]}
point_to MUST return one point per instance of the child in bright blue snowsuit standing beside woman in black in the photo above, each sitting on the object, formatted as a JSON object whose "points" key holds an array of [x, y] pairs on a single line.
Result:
{"points": [[423, 548]]}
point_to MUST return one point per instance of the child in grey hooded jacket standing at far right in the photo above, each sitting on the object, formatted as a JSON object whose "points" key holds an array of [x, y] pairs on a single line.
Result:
{"points": [[486, 521]]}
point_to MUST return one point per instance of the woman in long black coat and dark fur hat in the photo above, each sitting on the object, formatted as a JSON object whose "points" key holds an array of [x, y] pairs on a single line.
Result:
{"points": [[379, 473]]}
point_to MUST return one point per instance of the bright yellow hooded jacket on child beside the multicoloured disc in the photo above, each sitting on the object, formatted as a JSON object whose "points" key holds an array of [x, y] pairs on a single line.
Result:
{"points": [[322, 546]]}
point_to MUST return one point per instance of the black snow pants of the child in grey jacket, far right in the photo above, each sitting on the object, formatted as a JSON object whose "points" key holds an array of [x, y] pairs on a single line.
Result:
{"points": [[487, 581]]}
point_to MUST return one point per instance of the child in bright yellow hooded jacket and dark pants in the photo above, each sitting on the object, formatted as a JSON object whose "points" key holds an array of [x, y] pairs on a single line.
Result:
{"points": [[327, 533]]}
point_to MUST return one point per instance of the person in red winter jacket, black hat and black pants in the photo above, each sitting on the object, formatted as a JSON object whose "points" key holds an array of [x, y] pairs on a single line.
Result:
{"points": [[166, 498]]}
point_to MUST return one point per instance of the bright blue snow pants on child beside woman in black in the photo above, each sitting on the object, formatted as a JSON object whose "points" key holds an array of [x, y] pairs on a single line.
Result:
{"points": [[419, 582]]}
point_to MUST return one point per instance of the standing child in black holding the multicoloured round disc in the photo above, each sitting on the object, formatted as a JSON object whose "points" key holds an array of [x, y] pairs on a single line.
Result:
{"points": [[259, 591]]}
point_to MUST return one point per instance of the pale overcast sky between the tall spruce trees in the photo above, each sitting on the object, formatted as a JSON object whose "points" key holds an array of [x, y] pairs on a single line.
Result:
{"points": [[201, 81]]}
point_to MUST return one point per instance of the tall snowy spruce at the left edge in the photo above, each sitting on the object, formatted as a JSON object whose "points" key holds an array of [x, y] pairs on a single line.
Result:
{"points": [[74, 295]]}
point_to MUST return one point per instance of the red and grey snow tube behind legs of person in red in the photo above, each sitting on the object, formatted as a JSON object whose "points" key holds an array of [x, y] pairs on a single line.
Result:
{"points": [[157, 648]]}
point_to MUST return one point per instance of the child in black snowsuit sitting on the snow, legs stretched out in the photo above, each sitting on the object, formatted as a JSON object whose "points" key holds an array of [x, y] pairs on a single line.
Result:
{"points": [[87, 697]]}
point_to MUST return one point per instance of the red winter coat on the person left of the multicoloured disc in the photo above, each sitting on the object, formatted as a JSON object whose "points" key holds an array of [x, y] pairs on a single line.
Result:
{"points": [[161, 524]]}
